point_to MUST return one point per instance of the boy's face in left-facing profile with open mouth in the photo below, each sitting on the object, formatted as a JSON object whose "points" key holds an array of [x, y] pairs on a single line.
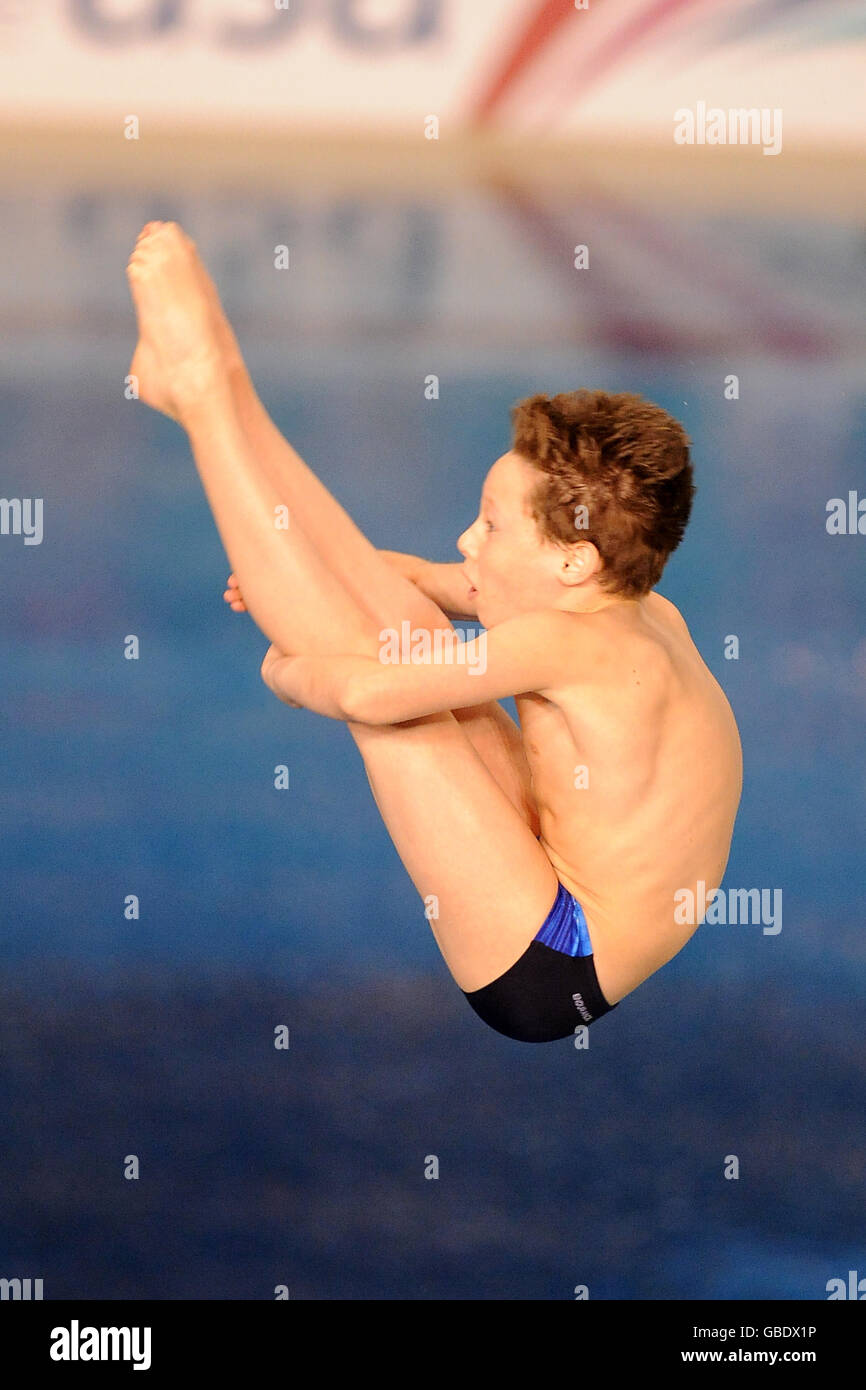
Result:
{"points": [[509, 565]]}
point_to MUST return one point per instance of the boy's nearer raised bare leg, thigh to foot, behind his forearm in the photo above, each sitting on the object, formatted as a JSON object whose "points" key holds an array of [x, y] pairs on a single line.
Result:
{"points": [[462, 840]]}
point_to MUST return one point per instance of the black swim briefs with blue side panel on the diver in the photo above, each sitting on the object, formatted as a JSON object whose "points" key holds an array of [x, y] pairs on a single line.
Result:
{"points": [[553, 989]]}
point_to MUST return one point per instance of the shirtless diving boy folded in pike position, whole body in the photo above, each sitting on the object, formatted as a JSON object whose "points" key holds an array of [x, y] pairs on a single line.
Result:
{"points": [[548, 856]]}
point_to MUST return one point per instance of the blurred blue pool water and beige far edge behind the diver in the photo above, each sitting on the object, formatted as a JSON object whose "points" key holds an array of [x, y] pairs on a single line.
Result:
{"points": [[262, 908]]}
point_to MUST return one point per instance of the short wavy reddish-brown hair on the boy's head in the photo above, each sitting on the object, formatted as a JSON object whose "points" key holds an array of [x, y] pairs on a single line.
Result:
{"points": [[622, 458]]}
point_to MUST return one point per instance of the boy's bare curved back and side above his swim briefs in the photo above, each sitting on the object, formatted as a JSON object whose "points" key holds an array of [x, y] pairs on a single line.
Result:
{"points": [[637, 772]]}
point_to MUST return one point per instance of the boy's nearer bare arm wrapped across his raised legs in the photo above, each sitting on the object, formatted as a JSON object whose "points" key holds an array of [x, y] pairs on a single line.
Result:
{"points": [[530, 653]]}
